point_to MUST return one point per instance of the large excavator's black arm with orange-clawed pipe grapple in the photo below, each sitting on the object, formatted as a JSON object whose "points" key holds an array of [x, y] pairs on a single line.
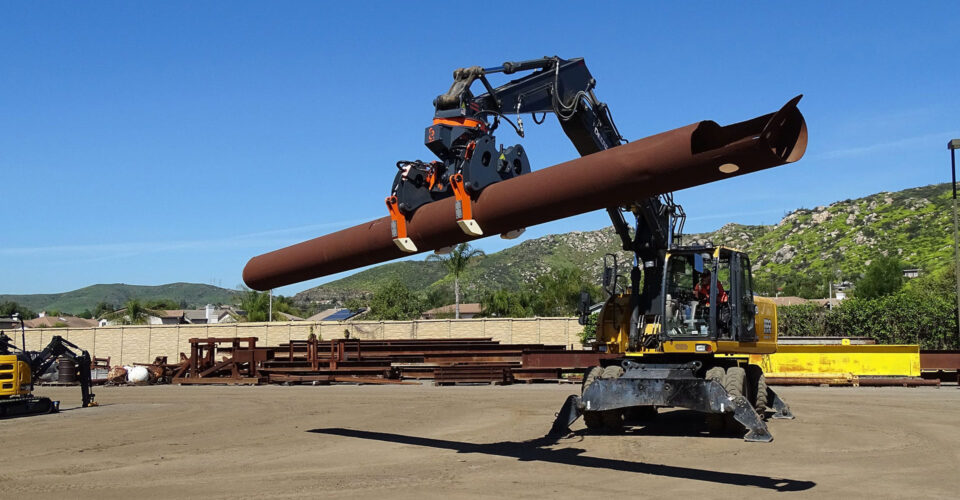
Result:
{"points": [[463, 121]]}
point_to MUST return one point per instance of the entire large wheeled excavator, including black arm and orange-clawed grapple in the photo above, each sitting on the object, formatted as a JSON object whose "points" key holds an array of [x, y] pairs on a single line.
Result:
{"points": [[673, 348]]}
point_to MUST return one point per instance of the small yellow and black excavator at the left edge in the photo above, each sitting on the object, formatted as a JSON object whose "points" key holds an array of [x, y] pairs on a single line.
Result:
{"points": [[19, 369]]}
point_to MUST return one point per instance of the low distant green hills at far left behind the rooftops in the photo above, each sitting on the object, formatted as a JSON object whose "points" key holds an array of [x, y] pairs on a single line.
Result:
{"points": [[192, 295]]}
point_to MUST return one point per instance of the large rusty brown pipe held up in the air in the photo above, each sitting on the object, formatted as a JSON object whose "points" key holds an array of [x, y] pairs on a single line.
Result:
{"points": [[690, 156]]}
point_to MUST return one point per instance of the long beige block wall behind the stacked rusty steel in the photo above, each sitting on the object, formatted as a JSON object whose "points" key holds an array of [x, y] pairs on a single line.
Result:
{"points": [[141, 344]]}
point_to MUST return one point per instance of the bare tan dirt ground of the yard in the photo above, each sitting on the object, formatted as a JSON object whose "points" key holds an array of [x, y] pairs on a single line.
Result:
{"points": [[467, 442]]}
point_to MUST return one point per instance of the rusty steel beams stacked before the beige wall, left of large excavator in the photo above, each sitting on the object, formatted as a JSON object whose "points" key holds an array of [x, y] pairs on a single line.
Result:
{"points": [[446, 361]]}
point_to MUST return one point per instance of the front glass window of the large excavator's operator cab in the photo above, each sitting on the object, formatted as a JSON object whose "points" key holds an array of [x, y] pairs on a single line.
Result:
{"points": [[684, 315]]}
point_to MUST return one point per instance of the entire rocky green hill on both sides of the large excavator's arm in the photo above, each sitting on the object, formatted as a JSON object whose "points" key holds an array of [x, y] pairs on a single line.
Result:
{"points": [[817, 244]]}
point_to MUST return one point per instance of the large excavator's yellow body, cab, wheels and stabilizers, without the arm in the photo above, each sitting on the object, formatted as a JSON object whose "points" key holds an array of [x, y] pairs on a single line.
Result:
{"points": [[685, 338]]}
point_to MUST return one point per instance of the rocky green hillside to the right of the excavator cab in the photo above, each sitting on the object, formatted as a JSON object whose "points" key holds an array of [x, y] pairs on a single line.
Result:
{"points": [[914, 224]]}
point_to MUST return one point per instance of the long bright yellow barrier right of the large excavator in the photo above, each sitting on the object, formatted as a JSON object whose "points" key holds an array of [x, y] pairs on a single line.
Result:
{"points": [[841, 361]]}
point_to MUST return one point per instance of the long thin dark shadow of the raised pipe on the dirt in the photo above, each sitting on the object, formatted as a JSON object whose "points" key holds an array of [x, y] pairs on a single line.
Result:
{"points": [[536, 450]]}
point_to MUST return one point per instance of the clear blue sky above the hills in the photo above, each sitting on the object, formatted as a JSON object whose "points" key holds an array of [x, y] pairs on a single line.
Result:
{"points": [[149, 143]]}
